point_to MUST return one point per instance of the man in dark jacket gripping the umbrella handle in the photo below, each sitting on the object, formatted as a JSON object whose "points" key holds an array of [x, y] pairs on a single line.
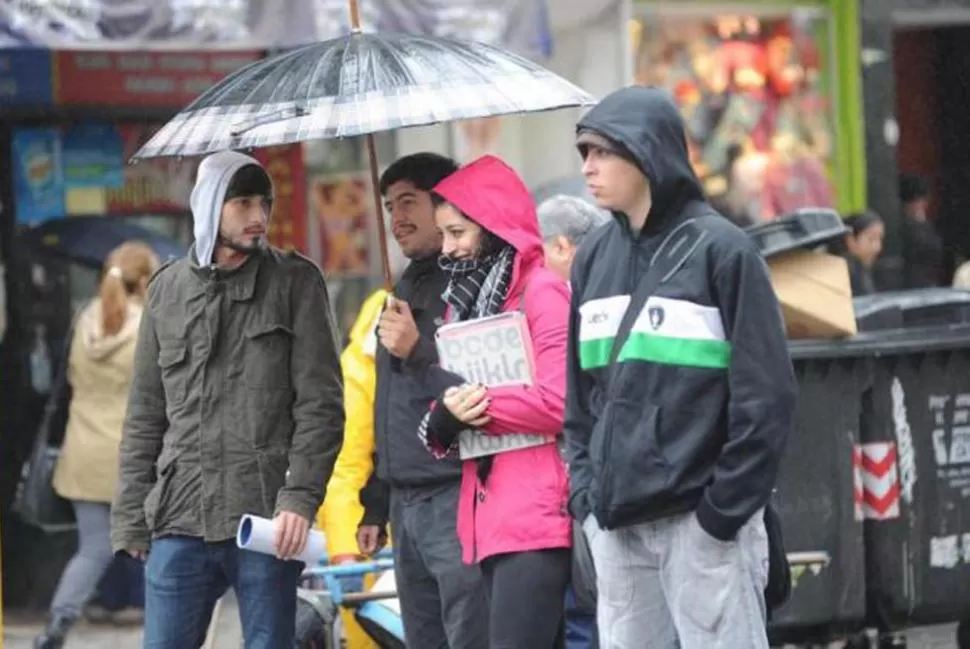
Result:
{"points": [[442, 600]]}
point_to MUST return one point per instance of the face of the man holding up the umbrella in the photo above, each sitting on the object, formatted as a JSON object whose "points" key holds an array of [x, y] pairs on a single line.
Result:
{"points": [[412, 220]]}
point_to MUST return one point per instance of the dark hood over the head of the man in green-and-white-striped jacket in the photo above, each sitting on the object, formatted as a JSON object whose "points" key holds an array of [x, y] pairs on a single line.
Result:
{"points": [[644, 126]]}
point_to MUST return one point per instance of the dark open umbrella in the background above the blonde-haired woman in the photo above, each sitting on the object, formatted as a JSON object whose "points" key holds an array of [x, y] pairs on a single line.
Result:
{"points": [[90, 239]]}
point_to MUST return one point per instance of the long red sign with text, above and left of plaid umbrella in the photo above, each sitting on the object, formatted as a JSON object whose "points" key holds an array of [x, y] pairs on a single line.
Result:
{"points": [[148, 79]]}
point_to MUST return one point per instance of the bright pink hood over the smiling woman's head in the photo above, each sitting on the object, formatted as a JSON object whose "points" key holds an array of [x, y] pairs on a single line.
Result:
{"points": [[490, 192]]}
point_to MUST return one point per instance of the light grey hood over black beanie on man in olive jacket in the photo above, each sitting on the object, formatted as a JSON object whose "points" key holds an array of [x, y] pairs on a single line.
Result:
{"points": [[216, 173]]}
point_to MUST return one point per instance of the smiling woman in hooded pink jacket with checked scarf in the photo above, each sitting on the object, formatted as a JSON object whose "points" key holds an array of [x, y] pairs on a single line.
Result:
{"points": [[512, 516]]}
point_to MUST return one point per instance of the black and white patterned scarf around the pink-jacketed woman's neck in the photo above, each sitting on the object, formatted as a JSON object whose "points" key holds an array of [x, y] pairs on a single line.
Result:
{"points": [[478, 287]]}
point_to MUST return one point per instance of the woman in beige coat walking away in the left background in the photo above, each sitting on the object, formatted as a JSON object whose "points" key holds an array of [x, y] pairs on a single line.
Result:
{"points": [[99, 372]]}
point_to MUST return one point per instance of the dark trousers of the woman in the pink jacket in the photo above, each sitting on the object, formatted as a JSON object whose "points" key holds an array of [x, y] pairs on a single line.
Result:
{"points": [[526, 592]]}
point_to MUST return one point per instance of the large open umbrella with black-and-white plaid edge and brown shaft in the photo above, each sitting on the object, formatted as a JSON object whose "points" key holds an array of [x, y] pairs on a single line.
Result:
{"points": [[358, 85]]}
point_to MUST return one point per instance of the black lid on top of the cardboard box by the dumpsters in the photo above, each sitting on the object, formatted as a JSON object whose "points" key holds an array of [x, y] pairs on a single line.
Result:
{"points": [[804, 228]]}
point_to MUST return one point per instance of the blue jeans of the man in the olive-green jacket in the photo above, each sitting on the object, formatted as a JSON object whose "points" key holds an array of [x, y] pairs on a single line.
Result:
{"points": [[185, 576]]}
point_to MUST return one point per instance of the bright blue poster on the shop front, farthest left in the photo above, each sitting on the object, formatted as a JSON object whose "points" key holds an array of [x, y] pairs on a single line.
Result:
{"points": [[38, 181]]}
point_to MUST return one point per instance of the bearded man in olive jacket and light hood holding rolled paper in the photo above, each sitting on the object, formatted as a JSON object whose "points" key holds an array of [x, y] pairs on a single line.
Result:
{"points": [[235, 408]]}
